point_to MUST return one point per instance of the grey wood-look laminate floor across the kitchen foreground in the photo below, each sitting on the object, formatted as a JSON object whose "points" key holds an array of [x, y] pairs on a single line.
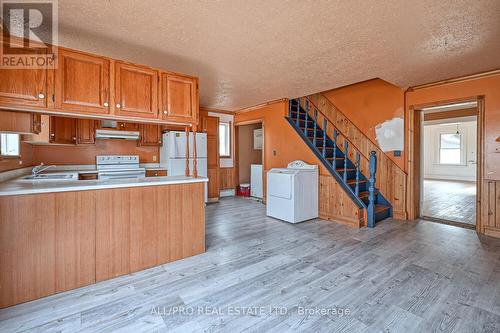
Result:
{"points": [[398, 277]]}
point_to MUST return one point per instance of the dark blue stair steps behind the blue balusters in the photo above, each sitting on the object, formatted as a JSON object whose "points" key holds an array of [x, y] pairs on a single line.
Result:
{"points": [[345, 171]]}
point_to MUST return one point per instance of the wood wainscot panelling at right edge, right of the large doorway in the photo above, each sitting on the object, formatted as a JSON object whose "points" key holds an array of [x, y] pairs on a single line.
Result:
{"points": [[490, 208]]}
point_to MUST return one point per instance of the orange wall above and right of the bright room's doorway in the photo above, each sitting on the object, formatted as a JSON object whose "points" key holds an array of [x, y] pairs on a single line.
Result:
{"points": [[489, 87]]}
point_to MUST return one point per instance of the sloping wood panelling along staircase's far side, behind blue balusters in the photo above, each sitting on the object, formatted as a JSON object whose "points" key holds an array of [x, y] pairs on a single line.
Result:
{"points": [[390, 178]]}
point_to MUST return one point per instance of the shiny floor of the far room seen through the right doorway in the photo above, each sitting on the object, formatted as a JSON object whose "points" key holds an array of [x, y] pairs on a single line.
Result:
{"points": [[450, 200]]}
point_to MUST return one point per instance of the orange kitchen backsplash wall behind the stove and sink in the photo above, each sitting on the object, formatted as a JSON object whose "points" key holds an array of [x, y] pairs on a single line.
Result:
{"points": [[85, 154]]}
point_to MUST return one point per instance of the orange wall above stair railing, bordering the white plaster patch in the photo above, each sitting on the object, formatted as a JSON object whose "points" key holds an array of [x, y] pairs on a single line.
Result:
{"points": [[368, 104]]}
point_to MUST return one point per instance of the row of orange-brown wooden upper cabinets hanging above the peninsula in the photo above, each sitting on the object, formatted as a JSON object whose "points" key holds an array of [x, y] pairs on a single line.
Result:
{"points": [[84, 84]]}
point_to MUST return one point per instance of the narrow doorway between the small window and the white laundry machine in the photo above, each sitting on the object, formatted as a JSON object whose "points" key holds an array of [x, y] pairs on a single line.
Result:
{"points": [[250, 157]]}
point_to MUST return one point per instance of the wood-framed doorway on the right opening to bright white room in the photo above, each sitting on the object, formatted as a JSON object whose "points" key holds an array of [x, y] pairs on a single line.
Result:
{"points": [[445, 162]]}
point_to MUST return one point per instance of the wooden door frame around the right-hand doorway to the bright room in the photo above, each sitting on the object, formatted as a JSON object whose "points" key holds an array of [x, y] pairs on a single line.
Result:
{"points": [[414, 158]]}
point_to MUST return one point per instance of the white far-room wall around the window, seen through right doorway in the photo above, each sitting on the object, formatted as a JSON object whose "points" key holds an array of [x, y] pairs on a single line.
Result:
{"points": [[432, 169]]}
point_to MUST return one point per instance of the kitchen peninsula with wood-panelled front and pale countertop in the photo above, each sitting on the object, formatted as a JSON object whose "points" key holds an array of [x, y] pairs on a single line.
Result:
{"points": [[61, 235]]}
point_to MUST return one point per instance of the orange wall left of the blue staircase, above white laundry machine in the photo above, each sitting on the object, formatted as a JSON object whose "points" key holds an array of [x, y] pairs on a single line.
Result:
{"points": [[281, 143]]}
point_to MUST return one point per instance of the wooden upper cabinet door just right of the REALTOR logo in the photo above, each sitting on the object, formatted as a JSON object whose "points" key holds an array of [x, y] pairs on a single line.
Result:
{"points": [[82, 83]]}
